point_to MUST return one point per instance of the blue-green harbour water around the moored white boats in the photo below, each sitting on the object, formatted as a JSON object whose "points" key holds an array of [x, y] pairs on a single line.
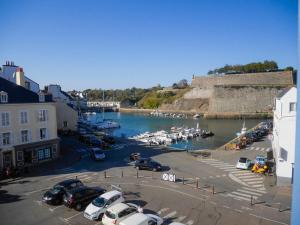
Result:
{"points": [[136, 123]]}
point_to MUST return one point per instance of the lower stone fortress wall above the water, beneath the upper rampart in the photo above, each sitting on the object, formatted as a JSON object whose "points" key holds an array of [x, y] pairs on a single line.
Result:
{"points": [[243, 99]]}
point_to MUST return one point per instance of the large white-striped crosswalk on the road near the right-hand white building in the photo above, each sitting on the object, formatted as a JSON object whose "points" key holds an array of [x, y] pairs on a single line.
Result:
{"points": [[252, 184]]}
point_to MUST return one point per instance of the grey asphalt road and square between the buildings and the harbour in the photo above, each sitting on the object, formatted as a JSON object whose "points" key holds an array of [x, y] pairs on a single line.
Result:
{"points": [[230, 203]]}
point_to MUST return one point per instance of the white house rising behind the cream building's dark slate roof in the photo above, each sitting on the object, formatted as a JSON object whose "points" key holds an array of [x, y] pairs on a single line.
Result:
{"points": [[9, 72]]}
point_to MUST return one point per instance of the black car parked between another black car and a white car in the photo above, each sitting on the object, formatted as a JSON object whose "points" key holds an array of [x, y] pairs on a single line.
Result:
{"points": [[79, 197]]}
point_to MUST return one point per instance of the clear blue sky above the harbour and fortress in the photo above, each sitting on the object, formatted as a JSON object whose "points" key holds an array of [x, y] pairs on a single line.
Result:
{"points": [[119, 44]]}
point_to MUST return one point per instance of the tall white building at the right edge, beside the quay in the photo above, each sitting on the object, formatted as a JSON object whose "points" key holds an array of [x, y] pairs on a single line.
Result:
{"points": [[284, 133]]}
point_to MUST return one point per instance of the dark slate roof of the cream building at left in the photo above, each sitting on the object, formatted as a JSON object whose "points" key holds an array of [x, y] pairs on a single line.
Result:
{"points": [[17, 94]]}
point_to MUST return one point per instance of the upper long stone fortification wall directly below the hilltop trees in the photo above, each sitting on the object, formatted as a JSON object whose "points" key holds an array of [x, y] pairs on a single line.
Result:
{"points": [[268, 78]]}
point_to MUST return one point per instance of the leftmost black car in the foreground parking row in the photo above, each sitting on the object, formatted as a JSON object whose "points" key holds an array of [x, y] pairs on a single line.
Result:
{"points": [[55, 195]]}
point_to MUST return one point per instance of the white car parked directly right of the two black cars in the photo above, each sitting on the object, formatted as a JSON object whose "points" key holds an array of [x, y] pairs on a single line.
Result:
{"points": [[96, 209]]}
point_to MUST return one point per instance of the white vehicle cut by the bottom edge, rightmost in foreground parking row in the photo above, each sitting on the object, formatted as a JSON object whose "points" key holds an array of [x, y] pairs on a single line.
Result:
{"points": [[142, 219]]}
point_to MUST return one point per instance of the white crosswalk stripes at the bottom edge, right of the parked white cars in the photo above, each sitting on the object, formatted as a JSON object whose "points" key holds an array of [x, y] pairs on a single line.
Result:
{"points": [[174, 216]]}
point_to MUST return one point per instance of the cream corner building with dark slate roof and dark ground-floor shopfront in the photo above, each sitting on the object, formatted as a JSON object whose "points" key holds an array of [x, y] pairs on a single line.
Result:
{"points": [[28, 127]]}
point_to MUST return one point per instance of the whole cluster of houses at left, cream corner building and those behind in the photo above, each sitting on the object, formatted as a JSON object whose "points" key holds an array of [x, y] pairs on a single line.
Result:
{"points": [[30, 119]]}
